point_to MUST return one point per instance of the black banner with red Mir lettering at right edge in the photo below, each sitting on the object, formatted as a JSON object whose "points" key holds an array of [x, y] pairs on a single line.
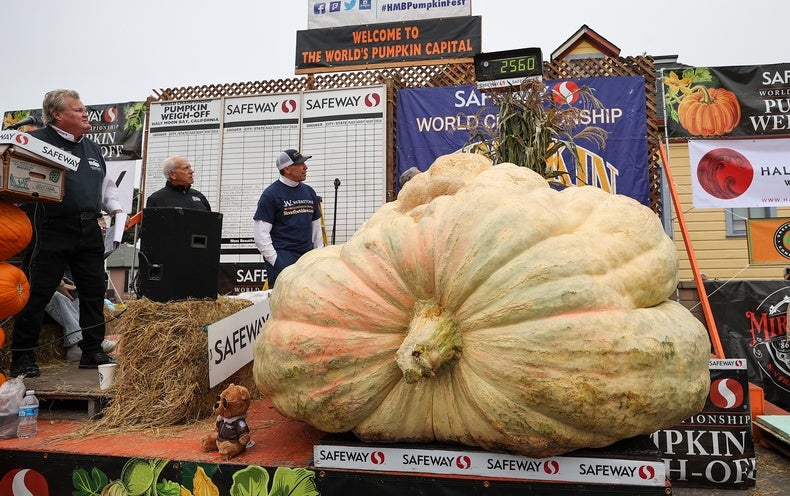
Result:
{"points": [[751, 319]]}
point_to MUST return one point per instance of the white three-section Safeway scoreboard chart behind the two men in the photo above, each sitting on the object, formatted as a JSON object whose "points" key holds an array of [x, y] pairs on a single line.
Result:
{"points": [[233, 143]]}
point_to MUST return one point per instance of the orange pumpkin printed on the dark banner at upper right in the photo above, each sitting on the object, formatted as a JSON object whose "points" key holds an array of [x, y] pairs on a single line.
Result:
{"points": [[709, 111]]}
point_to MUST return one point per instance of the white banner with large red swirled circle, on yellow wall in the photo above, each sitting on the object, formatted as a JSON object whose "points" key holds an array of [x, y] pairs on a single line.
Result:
{"points": [[740, 173]]}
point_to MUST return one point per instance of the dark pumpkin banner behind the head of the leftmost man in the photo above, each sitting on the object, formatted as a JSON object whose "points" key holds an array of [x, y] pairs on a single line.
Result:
{"points": [[116, 127]]}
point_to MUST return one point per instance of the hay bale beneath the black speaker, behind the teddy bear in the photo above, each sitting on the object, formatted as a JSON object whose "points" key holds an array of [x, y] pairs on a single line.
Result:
{"points": [[163, 378]]}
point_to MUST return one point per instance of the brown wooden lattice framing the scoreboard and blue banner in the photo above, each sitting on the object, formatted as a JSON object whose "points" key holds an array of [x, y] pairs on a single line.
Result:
{"points": [[451, 74]]}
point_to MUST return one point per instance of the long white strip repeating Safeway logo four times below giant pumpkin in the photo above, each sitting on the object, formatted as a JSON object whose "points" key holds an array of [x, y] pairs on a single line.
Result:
{"points": [[500, 465]]}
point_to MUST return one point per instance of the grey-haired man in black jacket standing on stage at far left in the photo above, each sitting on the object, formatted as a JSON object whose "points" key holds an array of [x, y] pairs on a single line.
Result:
{"points": [[66, 234]]}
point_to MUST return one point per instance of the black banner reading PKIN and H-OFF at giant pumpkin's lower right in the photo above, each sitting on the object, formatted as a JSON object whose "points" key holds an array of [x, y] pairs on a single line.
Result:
{"points": [[714, 448]]}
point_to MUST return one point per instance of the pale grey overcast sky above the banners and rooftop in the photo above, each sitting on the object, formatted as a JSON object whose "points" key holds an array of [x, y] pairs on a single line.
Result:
{"points": [[112, 51]]}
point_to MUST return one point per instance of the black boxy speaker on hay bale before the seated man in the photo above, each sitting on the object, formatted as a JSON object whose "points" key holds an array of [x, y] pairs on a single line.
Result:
{"points": [[179, 254]]}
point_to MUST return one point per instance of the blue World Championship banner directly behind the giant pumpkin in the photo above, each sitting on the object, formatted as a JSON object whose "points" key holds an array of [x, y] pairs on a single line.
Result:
{"points": [[436, 121]]}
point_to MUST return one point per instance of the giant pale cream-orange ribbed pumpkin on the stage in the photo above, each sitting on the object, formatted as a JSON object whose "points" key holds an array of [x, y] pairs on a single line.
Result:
{"points": [[485, 308]]}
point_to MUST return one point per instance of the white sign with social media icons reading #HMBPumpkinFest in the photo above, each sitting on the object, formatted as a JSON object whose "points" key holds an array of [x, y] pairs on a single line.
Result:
{"points": [[328, 14]]}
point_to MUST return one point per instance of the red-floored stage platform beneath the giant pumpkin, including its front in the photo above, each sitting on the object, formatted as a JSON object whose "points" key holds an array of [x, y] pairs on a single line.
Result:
{"points": [[291, 453]]}
